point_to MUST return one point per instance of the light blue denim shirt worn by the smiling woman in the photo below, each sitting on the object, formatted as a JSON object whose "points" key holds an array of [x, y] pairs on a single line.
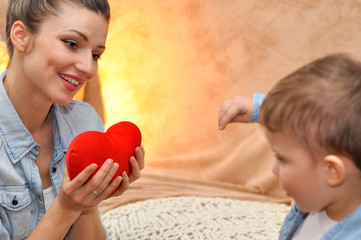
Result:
{"points": [[21, 192]]}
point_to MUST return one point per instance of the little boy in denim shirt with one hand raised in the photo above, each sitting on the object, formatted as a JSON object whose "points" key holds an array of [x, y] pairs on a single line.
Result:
{"points": [[311, 119]]}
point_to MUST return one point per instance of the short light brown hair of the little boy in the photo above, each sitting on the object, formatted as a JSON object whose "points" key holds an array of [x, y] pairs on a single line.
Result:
{"points": [[320, 106]]}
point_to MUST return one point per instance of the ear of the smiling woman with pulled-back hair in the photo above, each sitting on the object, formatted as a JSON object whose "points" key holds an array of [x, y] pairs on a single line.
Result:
{"points": [[19, 36]]}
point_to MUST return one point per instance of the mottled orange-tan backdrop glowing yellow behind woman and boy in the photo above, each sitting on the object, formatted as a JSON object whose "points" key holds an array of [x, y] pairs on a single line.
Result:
{"points": [[169, 65]]}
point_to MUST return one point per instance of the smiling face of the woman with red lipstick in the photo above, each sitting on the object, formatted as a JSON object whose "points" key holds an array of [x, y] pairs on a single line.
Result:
{"points": [[64, 54]]}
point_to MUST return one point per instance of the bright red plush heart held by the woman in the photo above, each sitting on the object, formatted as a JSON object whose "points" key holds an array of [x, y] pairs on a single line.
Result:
{"points": [[117, 143]]}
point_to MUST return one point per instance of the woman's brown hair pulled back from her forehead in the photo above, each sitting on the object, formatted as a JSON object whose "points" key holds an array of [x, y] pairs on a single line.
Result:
{"points": [[33, 12]]}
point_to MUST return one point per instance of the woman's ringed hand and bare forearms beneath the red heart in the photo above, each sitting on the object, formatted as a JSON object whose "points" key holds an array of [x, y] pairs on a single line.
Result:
{"points": [[76, 204]]}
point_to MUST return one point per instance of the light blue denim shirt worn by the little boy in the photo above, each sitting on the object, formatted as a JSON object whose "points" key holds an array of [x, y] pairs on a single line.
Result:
{"points": [[348, 228]]}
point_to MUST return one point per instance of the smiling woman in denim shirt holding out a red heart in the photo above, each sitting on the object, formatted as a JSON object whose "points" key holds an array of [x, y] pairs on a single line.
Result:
{"points": [[53, 47]]}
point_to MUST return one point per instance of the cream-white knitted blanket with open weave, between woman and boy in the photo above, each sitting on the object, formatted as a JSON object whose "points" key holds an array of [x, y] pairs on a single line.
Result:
{"points": [[183, 218]]}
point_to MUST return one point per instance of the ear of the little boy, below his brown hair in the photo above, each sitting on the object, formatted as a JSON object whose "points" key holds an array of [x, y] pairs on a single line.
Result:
{"points": [[334, 169]]}
